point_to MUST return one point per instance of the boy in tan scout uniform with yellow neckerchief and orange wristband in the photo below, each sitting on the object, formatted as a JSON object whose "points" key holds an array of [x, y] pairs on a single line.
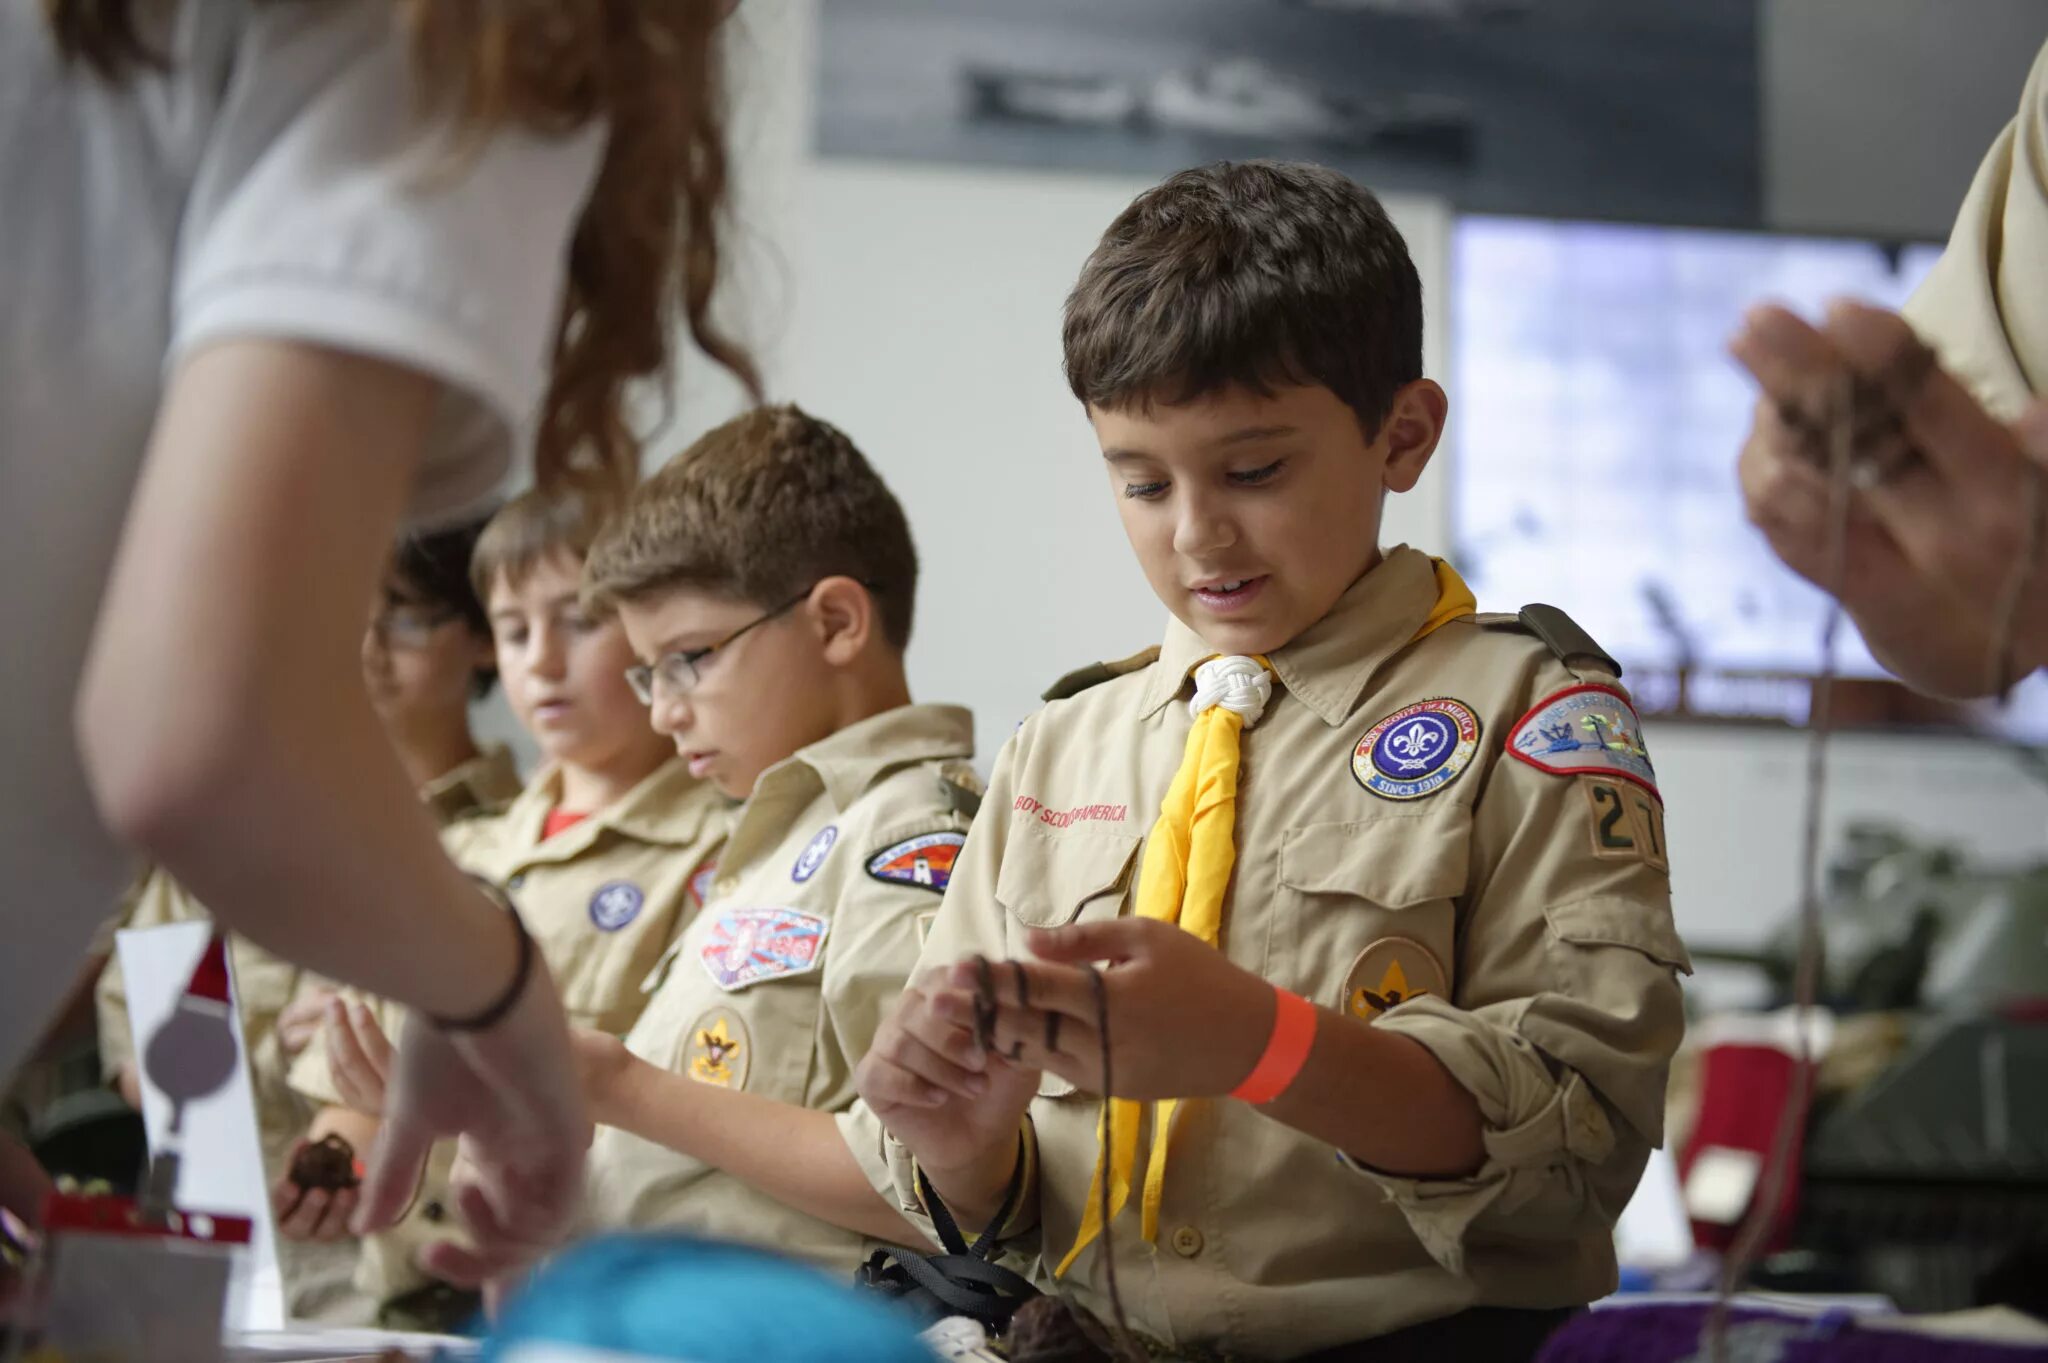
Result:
{"points": [[1406, 854]]}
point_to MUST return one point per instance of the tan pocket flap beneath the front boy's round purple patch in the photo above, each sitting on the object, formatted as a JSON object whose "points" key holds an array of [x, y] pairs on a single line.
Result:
{"points": [[1394, 861]]}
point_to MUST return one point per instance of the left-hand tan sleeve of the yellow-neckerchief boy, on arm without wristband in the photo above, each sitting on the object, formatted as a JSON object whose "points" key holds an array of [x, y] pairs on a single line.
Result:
{"points": [[970, 922]]}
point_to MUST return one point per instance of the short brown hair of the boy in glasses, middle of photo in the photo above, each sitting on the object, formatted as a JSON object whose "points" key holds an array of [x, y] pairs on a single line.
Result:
{"points": [[761, 511]]}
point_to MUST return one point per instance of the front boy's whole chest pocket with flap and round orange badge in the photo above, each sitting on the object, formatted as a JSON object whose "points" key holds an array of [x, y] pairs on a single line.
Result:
{"points": [[1369, 910]]}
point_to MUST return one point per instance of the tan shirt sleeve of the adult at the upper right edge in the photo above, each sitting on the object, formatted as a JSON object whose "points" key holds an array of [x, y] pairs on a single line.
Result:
{"points": [[1986, 304]]}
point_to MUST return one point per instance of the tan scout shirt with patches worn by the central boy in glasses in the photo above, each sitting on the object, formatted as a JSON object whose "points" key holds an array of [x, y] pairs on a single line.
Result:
{"points": [[833, 873]]}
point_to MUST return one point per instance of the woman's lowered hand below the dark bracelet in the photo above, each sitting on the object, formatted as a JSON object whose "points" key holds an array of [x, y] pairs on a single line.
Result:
{"points": [[515, 1100]]}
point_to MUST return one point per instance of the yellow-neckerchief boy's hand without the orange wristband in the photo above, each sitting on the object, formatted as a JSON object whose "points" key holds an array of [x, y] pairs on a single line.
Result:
{"points": [[933, 1086]]}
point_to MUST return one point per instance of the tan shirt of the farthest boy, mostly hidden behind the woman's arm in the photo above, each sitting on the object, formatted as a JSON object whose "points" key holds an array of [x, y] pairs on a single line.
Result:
{"points": [[316, 1276]]}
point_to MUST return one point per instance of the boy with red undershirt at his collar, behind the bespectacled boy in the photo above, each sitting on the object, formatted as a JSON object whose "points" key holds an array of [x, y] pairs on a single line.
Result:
{"points": [[607, 856]]}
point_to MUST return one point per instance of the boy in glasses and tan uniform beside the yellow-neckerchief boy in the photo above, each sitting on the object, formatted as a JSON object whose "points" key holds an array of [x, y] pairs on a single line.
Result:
{"points": [[767, 582]]}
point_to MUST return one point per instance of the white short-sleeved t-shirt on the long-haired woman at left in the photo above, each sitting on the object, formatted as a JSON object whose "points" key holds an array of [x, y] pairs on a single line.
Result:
{"points": [[275, 181]]}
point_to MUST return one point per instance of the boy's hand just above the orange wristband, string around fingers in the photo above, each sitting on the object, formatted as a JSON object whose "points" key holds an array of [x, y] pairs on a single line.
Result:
{"points": [[1185, 1022]]}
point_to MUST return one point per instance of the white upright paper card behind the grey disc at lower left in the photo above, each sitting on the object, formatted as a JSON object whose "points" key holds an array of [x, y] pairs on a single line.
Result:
{"points": [[220, 1147]]}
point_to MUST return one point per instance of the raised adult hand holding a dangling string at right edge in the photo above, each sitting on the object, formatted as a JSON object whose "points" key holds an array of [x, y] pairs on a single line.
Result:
{"points": [[1934, 541]]}
